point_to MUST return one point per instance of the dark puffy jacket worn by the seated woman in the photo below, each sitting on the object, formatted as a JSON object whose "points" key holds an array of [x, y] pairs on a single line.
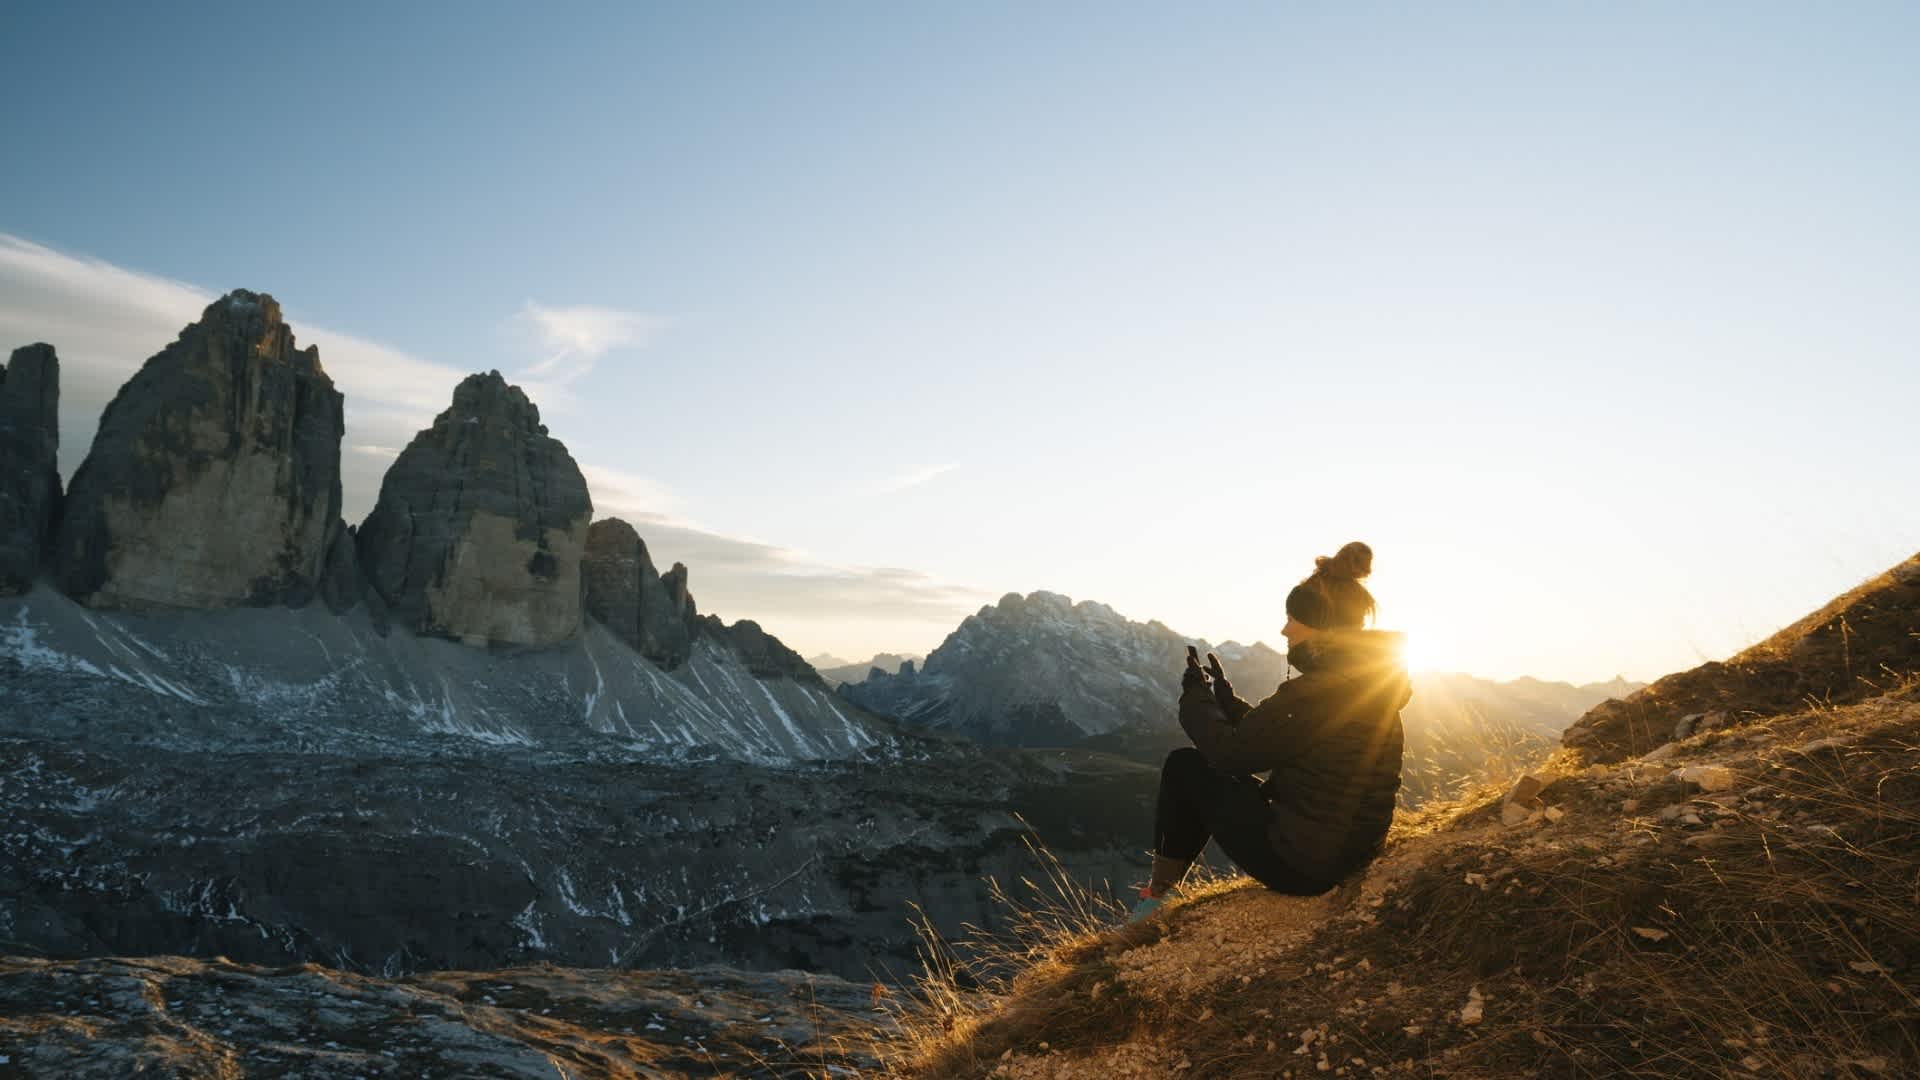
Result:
{"points": [[1332, 741]]}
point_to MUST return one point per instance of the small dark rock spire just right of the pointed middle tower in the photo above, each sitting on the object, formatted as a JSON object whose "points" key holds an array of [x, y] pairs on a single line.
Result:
{"points": [[627, 595]]}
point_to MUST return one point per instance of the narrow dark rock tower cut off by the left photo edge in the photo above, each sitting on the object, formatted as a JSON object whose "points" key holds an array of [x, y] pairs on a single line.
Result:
{"points": [[30, 474]]}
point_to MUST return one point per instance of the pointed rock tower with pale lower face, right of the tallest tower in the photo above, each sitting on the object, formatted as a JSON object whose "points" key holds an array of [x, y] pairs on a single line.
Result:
{"points": [[481, 526]]}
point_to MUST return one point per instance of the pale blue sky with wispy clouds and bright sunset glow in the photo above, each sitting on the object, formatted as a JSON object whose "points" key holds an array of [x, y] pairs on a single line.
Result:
{"points": [[1596, 322]]}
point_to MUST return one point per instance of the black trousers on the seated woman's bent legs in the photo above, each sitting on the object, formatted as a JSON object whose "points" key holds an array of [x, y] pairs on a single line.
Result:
{"points": [[1199, 804]]}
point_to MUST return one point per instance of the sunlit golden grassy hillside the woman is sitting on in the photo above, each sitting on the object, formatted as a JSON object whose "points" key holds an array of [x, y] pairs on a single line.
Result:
{"points": [[1740, 902]]}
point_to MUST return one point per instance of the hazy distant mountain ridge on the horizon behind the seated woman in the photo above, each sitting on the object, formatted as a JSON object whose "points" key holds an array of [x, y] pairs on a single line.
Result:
{"points": [[1047, 672]]}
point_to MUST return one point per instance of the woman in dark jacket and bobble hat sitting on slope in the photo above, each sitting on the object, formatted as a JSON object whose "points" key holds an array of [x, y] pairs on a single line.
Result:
{"points": [[1330, 743]]}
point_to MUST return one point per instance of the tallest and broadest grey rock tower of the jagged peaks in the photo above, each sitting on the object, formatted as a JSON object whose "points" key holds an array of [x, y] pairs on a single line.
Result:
{"points": [[214, 479]]}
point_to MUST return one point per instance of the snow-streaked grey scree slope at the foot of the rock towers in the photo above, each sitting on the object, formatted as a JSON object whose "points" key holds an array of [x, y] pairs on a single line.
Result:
{"points": [[274, 670]]}
